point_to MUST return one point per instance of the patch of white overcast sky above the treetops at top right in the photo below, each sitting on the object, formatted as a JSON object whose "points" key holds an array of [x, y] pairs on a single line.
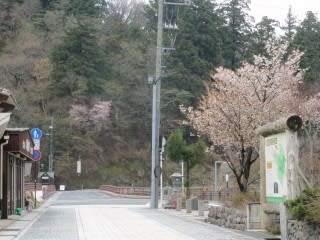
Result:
{"points": [[278, 9]]}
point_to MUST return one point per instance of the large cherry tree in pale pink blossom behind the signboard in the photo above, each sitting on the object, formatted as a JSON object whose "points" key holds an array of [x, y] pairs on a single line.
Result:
{"points": [[239, 101]]}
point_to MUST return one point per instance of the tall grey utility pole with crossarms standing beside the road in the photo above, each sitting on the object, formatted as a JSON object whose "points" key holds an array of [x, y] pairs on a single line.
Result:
{"points": [[156, 89]]}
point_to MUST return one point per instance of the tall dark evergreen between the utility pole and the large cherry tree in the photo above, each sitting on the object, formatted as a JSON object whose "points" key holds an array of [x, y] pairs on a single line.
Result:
{"points": [[198, 51]]}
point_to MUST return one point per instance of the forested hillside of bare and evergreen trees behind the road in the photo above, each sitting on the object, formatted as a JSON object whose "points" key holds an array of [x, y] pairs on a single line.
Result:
{"points": [[83, 66]]}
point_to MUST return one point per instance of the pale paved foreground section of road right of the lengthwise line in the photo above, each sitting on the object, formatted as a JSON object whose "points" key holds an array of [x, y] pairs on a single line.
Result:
{"points": [[119, 223]]}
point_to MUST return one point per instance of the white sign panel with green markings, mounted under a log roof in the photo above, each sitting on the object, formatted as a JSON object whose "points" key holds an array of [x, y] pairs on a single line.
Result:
{"points": [[276, 168]]}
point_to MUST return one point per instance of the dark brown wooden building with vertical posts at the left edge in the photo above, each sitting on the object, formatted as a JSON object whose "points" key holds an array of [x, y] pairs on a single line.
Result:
{"points": [[17, 152]]}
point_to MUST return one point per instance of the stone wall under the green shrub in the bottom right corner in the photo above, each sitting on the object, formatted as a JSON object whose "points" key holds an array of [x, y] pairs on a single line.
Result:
{"points": [[298, 230]]}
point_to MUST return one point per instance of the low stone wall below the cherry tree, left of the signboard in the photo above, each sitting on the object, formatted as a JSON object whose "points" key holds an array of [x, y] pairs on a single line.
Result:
{"points": [[227, 217]]}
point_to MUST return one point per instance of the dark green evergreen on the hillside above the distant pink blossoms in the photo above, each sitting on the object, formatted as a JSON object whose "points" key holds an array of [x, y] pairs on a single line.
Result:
{"points": [[78, 64]]}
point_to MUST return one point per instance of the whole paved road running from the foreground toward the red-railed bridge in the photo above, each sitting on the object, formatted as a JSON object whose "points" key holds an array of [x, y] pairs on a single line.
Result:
{"points": [[86, 215]]}
